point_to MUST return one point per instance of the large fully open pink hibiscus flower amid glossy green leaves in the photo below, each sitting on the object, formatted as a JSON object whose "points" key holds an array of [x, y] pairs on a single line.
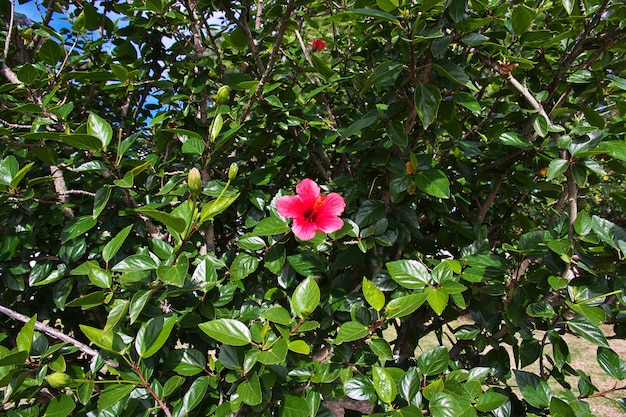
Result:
{"points": [[312, 211]]}
